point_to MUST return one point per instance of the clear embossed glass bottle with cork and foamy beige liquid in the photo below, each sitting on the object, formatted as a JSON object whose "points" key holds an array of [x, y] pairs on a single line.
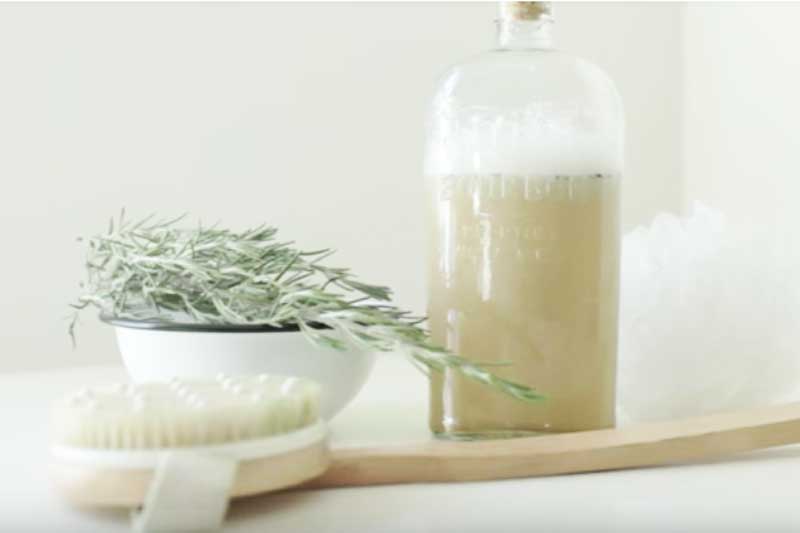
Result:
{"points": [[523, 163]]}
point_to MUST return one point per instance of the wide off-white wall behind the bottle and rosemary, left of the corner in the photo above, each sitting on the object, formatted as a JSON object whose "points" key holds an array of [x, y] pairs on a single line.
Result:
{"points": [[305, 116]]}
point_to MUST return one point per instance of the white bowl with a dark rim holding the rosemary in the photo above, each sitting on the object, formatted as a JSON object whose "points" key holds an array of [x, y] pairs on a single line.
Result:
{"points": [[157, 353]]}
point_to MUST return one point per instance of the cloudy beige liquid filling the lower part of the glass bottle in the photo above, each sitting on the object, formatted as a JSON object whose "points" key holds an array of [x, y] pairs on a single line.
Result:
{"points": [[524, 272]]}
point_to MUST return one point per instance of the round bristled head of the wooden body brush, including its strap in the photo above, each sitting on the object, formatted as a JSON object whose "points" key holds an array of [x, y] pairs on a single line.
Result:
{"points": [[180, 450]]}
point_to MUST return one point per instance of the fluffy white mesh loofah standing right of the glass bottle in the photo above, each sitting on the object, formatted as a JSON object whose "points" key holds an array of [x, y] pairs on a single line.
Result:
{"points": [[709, 318]]}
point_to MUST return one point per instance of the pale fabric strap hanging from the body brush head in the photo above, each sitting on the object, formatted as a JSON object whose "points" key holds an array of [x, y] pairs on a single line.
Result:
{"points": [[189, 492]]}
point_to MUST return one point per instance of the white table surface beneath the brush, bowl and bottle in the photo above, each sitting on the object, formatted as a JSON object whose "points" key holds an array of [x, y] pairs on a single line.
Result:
{"points": [[755, 493]]}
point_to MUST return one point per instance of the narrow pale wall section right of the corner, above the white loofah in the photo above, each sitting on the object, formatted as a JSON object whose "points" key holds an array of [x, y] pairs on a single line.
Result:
{"points": [[742, 95]]}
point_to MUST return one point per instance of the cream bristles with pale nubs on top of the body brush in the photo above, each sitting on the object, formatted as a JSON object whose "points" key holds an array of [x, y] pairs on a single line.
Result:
{"points": [[185, 413]]}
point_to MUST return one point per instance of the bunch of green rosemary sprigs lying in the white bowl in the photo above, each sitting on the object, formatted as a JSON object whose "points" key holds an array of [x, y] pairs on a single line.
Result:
{"points": [[155, 270]]}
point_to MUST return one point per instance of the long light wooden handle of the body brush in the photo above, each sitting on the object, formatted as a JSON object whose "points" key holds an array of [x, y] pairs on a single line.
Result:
{"points": [[628, 447]]}
